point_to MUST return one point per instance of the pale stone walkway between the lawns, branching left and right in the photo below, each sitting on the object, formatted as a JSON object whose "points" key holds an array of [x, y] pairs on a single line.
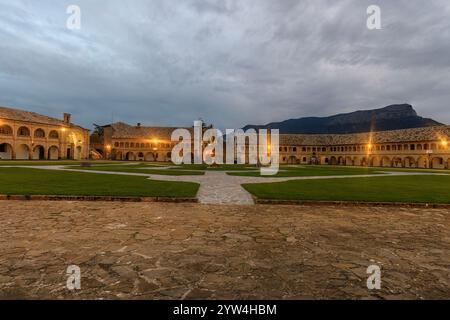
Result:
{"points": [[217, 187]]}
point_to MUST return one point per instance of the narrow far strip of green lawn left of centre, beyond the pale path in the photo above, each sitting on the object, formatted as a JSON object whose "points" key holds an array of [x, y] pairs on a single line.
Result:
{"points": [[148, 169]]}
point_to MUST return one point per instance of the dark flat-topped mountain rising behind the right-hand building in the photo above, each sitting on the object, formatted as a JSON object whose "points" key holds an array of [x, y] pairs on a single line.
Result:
{"points": [[398, 116]]}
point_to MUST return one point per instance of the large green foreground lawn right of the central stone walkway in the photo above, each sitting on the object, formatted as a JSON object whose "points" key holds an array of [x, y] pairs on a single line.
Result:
{"points": [[422, 189]]}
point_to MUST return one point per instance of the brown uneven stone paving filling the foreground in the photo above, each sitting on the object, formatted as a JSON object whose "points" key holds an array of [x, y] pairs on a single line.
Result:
{"points": [[192, 251]]}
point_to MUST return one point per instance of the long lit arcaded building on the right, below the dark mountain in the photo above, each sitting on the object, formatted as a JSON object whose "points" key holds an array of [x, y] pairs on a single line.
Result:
{"points": [[427, 147]]}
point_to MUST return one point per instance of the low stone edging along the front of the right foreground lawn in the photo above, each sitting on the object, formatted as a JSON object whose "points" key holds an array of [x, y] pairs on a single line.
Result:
{"points": [[352, 203]]}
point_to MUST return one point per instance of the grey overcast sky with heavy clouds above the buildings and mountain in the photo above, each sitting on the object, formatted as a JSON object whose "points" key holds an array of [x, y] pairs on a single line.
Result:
{"points": [[231, 63]]}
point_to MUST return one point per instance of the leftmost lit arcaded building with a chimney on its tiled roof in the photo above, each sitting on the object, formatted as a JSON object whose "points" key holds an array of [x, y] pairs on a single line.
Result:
{"points": [[27, 135]]}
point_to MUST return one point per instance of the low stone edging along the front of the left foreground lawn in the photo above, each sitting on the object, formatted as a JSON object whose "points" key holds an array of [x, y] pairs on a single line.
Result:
{"points": [[97, 198]]}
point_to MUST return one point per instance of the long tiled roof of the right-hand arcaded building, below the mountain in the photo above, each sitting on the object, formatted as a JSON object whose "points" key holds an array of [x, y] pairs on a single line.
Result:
{"points": [[434, 133]]}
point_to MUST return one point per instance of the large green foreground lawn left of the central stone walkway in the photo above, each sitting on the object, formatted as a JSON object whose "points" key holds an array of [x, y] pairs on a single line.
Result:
{"points": [[24, 181]]}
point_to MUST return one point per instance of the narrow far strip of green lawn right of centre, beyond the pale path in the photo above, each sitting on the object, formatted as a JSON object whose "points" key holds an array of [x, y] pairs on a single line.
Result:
{"points": [[308, 171]]}
